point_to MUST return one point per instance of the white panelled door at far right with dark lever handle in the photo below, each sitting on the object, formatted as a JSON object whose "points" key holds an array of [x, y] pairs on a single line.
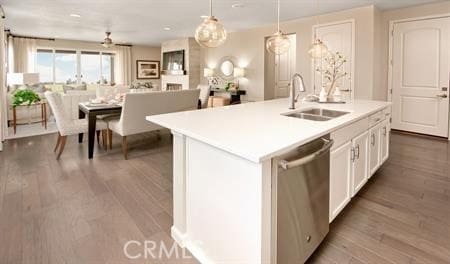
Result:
{"points": [[420, 76]]}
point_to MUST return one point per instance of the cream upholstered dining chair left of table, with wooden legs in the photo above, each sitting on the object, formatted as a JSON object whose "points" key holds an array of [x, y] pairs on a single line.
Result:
{"points": [[66, 124]]}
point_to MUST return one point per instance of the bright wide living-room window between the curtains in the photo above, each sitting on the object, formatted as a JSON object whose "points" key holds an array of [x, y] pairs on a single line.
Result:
{"points": [[75, 67]]}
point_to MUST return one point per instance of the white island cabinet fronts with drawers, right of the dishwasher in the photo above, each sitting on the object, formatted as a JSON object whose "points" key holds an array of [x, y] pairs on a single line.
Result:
{"points": [[360, 149]]}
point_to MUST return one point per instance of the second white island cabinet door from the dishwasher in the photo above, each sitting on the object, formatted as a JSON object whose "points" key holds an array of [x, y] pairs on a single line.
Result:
{"points": [[360, 162]]}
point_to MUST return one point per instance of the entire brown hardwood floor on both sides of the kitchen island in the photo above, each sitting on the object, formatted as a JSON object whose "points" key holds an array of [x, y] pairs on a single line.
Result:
{"points": [[80, 211]]}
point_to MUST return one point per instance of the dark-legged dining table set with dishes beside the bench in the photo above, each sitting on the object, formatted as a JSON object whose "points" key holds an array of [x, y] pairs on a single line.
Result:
{"points": [[100, 106]]}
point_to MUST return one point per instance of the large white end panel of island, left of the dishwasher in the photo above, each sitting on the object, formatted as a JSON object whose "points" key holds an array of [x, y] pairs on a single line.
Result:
{"points": [[228, 206]]}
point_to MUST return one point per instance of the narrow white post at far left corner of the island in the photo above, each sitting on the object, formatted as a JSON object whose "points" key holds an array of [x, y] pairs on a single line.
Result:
{"points": [[178, 230]]}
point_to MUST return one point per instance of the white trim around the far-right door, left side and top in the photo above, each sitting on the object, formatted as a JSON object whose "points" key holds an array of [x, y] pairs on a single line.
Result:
{"points": [[391, 48]]}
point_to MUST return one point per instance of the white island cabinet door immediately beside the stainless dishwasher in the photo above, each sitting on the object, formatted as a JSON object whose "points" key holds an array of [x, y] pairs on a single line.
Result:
{"points": [[340, 176]]}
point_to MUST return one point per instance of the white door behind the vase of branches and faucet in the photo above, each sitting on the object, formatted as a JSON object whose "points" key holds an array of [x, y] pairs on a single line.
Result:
{"points": [[339, 38]]}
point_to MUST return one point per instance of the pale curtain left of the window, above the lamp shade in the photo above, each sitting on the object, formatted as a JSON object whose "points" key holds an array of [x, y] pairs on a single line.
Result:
{"points": [[22, 55]]}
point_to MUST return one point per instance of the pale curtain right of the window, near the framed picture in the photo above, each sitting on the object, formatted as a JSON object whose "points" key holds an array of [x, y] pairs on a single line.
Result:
{"points": [[122, 69]]}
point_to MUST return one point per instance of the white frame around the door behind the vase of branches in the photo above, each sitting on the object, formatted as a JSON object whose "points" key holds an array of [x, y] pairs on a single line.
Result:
{"points": [[352, 75]]}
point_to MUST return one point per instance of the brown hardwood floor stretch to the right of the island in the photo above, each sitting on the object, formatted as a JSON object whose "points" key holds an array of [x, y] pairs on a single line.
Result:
{"points": [[402, 215]]}
